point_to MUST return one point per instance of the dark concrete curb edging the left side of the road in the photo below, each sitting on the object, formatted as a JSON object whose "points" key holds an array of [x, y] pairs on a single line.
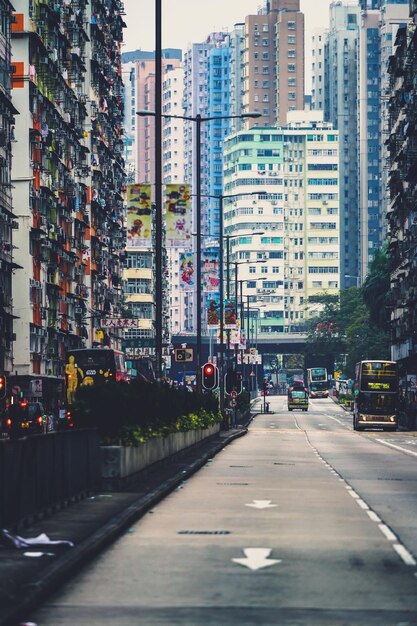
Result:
{"points": [[28, 597]]}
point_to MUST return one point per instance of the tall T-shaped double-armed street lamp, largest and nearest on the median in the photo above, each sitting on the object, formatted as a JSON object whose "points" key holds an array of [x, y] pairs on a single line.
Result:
{"points": [[198, 119]]}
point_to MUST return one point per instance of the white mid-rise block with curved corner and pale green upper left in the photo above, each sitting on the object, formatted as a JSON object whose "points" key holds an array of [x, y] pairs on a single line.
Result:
{"points": [[285, 243]]}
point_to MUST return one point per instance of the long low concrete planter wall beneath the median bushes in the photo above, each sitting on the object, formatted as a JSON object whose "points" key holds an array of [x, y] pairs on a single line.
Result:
{"points": [[121, 462]]}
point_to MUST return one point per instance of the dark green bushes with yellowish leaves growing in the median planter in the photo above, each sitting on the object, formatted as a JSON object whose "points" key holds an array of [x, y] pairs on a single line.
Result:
{"points": [[131, 413]]}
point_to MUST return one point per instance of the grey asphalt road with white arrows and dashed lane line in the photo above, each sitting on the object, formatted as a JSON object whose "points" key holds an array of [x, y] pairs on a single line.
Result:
{"points": [[302, 522]]}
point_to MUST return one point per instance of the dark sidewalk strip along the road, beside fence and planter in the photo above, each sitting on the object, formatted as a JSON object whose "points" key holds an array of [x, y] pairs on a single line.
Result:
{"points": [[91, 524]]}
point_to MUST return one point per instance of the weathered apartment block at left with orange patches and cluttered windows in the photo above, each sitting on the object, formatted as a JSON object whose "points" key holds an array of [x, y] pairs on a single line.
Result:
{"points": [[68, 177]]}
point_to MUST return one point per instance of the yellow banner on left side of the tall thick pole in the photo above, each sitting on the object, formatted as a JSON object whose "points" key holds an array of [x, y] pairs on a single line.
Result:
{"points": [[138, 216]]}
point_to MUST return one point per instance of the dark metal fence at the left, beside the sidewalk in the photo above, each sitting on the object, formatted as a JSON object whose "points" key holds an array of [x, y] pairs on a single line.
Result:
{"points": [[43, 471]]}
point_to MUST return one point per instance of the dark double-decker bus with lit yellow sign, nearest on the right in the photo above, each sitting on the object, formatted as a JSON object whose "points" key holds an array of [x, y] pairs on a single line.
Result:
{"points": [[375, 395]]}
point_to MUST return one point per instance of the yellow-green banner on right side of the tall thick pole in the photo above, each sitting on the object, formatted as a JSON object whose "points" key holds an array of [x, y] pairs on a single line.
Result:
{"points": [[178, 215]]}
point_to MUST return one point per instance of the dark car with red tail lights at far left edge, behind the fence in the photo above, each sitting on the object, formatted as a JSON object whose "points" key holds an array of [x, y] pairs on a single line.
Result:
{"points": [[24, 418]]}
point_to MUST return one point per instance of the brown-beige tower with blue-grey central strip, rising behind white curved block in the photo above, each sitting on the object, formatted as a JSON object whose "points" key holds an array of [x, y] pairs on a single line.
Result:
{"points": [[273, 65]]}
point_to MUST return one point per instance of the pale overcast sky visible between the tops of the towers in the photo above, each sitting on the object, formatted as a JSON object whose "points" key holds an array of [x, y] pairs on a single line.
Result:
{"points": [[190, 21]]}
